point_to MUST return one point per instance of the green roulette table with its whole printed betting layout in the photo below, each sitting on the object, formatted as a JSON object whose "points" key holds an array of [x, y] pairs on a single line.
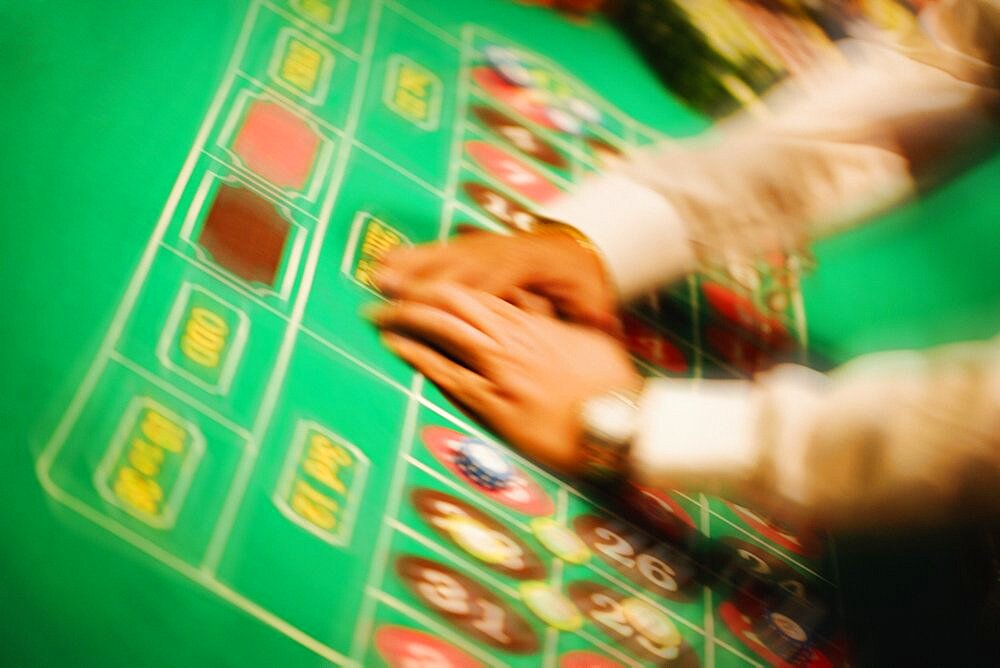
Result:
{"points": [[212, 458]]}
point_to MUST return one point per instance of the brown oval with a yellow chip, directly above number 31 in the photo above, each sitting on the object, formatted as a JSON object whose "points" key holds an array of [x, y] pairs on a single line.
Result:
{"points": [[477, 534]]}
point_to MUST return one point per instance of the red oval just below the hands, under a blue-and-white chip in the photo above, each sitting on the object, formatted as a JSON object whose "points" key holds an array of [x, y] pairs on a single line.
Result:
{"points": [[521, 493]]}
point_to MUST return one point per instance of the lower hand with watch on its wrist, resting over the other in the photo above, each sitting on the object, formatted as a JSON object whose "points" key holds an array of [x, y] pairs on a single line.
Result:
{"points": [[523, 374]]}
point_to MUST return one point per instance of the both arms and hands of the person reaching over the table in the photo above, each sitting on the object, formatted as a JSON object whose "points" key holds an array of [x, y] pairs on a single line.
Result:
{"points": [[902, 437]]}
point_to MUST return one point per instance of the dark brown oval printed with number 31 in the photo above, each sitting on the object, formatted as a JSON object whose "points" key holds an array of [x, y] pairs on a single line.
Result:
{"points": [[467, 605]]}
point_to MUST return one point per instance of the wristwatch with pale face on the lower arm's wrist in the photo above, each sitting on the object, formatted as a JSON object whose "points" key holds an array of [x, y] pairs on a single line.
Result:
{"points": [[610, 423]]}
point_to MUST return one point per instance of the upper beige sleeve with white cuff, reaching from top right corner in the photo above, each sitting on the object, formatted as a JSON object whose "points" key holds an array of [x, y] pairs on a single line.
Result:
{"points": [[821, 162]]}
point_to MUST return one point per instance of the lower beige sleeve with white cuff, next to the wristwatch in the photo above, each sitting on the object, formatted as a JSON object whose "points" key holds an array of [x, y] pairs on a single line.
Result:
{"points": [[894, 438]]}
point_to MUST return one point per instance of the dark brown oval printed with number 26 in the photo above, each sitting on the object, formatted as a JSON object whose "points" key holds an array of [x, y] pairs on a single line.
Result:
{"points": [[657, 567]]}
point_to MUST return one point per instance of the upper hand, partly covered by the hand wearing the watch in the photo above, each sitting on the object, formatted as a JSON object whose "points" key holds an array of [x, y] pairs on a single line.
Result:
{"points": [[552, 265]]}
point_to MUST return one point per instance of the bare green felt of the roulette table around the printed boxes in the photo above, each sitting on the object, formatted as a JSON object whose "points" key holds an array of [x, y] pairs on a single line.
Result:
{"points": [[103, 103]]}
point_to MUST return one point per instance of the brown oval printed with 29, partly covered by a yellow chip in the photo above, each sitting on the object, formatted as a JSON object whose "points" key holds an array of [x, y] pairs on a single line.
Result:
{"points": [[608, 610]]}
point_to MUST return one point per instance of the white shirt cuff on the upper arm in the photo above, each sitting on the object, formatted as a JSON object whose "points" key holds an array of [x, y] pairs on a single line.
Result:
{"points": [[638, 231]]}
